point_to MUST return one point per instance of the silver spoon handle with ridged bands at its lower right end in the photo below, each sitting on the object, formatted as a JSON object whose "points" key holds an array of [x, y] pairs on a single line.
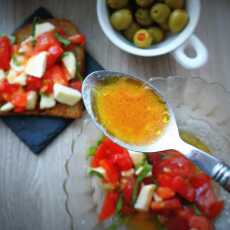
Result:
{"points": [[215, 168]]}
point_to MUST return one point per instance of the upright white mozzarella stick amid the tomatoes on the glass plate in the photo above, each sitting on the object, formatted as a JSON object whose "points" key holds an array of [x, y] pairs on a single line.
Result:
{"points": [[145, 197]]}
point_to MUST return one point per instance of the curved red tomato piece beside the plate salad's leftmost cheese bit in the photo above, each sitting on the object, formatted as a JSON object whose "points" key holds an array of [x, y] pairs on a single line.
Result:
{"points": [[112, 175]]}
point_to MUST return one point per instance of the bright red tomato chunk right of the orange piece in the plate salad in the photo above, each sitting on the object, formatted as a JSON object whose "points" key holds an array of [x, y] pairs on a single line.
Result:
{"points": [[183, 188]]}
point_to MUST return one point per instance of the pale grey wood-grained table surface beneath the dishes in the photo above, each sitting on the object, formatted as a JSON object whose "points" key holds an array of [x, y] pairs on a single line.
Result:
{"points": [[31, 187]]}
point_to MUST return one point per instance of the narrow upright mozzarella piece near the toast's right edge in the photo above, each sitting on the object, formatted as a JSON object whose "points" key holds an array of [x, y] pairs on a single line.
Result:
{"points": [[70, 63]]}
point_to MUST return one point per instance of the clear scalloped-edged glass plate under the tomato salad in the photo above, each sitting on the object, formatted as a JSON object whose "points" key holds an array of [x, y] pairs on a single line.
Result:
{"points": [[201, 108]]}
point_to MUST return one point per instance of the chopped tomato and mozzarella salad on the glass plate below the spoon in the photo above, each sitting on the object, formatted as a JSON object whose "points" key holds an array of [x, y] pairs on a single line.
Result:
{"points": [[164, 188]]}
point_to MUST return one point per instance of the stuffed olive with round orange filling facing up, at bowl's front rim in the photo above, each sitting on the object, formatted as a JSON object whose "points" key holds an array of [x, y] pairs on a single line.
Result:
{"points": [[142, 39]]}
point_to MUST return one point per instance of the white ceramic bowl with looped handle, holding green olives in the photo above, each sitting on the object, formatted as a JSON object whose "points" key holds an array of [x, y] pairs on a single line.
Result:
{"points": [[175, 44]]}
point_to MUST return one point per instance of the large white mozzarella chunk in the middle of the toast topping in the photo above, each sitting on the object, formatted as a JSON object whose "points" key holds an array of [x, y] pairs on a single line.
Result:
{"points": [[36, 65]]}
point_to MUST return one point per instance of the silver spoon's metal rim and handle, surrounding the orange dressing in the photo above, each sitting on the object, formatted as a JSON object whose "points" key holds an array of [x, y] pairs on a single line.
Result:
{"points": [[170, 139]]}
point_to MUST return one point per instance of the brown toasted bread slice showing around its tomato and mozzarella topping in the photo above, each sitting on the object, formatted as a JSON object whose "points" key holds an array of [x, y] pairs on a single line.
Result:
{"points": [[60, 110]]}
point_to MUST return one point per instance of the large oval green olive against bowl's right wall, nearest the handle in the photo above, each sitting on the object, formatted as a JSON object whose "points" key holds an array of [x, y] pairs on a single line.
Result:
{"points": [[178, 20]]}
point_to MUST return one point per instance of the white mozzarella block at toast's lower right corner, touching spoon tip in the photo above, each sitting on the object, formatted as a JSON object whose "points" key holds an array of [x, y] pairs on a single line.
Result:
{"points": [[66, 95]]}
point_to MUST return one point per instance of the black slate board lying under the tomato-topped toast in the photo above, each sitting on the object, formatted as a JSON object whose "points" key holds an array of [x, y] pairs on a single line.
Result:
{"points": [[38, 132]]}
